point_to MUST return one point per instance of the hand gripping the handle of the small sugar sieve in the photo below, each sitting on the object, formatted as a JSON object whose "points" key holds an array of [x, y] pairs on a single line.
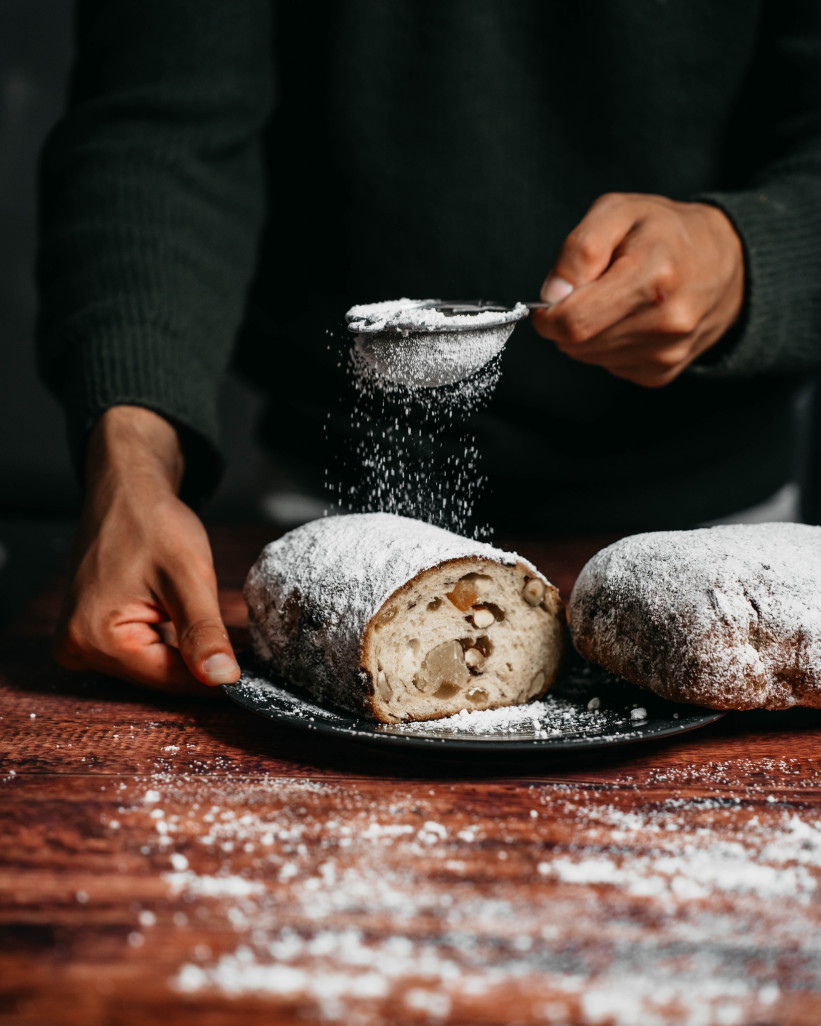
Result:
{"points": [[644, 286]]}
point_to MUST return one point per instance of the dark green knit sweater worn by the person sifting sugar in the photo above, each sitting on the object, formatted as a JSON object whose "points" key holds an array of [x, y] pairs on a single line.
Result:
{"points": [[232, 175]]}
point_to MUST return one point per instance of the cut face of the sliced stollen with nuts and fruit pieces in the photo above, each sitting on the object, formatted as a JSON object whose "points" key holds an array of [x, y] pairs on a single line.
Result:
{"points": [[463, 637]]}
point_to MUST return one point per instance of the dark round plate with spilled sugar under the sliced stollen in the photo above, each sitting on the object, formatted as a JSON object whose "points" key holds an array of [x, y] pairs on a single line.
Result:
{"points": [[585, 709]]}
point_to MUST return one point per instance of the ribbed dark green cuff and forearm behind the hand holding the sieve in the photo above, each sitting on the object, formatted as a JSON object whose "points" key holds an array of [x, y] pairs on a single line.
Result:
{"points": [[780, 227]]}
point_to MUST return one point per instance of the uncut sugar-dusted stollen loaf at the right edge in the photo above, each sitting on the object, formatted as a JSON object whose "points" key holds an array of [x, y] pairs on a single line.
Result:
{"points": [[724, 617]]}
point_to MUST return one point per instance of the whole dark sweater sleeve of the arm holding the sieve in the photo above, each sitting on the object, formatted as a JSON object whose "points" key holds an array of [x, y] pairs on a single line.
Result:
{"points": [[777, 211]]}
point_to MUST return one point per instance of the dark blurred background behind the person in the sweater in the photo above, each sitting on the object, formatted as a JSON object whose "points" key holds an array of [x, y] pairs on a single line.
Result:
{"points": [[38, 495]]}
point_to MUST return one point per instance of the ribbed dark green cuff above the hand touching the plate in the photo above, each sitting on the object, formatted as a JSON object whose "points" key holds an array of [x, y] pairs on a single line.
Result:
{"points": [[139, 366]]}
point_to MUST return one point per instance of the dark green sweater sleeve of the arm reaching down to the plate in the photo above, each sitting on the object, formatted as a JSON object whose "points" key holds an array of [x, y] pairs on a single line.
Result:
{"points": [[151, 205]]}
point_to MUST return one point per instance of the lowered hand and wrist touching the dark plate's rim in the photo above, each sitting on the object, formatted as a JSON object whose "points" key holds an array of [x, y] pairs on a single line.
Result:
{"points": [[142, 604]]}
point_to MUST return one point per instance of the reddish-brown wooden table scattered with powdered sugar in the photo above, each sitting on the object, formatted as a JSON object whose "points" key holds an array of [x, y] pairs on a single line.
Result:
{"points": [[186, 862]]}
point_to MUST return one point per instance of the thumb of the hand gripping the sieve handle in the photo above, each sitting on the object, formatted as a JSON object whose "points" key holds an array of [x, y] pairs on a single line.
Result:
{"points": [[589, 250]]}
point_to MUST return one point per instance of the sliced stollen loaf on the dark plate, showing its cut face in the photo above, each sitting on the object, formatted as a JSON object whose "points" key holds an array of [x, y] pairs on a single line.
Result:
{"points": [[399, 620]]}
